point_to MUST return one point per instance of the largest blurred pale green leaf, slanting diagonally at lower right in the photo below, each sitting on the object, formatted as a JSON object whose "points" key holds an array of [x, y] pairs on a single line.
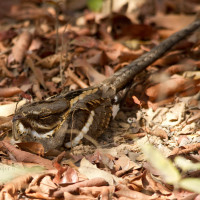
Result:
{"points": [[164, 166]]}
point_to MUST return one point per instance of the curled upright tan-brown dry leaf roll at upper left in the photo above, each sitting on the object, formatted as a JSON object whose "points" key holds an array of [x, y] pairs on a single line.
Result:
{"points": [[21, 46]]}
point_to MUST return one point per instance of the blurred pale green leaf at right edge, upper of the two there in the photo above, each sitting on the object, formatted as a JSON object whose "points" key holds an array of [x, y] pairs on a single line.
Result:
{"points": [[186, 164]]}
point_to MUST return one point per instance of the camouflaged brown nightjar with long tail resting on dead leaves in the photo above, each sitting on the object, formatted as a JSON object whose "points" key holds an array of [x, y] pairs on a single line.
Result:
{"points": [[85, 111]]}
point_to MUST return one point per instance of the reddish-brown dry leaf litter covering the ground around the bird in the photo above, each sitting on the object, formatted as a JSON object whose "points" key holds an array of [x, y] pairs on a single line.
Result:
{"points": [[162, 108]]}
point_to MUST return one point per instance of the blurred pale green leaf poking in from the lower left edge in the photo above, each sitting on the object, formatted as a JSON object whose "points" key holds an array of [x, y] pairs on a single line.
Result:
{"points": [[9, 172]]}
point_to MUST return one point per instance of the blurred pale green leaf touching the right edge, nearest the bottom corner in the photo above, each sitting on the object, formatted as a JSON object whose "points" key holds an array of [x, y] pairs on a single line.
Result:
{"points": [[191, 184]]}
